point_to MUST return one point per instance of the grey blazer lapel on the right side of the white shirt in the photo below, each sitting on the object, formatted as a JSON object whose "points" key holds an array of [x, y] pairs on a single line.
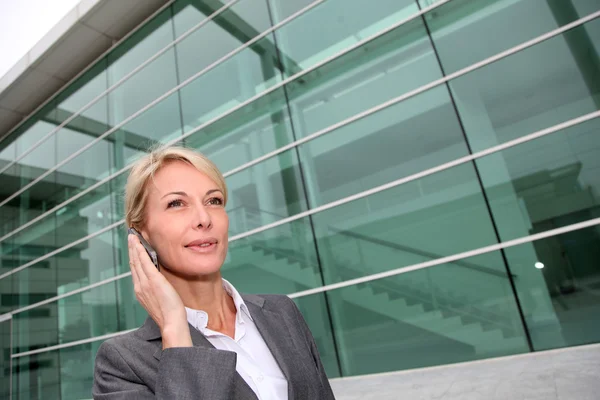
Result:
{"points": [[275, 330]]}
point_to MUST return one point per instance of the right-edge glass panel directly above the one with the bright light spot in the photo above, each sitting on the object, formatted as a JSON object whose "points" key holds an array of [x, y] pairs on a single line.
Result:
{"points": [[546, 183]]}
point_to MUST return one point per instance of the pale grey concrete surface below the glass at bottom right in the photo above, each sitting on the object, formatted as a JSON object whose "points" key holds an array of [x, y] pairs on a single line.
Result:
{"points": [[564, 374]]}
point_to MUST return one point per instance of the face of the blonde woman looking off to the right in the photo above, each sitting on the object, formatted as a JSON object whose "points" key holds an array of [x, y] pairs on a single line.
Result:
{"points": [[185, 220]]}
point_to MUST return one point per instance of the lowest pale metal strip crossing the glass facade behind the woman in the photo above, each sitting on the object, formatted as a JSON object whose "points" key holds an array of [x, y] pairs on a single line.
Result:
{"points": [[373, 277]]}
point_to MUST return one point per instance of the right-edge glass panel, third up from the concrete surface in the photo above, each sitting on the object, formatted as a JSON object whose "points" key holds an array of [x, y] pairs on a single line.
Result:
{"points": [[511, 98]]}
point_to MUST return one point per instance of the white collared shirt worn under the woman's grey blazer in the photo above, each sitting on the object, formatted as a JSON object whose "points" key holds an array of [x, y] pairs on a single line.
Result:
{"points": [[255, 363]]}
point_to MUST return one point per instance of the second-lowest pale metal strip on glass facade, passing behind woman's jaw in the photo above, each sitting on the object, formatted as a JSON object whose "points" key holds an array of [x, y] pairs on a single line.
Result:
{"points": [[369, 192]]}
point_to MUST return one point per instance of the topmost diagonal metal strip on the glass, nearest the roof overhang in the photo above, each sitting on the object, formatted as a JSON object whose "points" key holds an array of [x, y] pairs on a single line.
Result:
{"points": [[117, 84]]}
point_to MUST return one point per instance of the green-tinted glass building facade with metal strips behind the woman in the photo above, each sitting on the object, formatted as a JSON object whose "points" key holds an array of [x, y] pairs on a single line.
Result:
{"points": [[422, 177]]}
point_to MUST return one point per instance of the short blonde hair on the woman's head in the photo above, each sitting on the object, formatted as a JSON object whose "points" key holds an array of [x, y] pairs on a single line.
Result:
{"points": [[143, 170]]}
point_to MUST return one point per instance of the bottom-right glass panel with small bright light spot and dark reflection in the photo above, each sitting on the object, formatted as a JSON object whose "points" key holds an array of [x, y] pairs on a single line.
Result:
{"points": [[558, 284]]}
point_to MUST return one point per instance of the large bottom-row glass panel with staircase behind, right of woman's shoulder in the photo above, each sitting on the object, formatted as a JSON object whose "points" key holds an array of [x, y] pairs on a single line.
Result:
{"points": [[427, 317]]}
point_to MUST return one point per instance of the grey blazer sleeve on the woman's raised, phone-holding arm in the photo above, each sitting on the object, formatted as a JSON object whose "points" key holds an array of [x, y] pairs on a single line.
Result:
{"points": [[183, 373]]}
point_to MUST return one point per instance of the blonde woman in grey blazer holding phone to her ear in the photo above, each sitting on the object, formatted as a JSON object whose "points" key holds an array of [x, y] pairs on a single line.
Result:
{"points": [[202, 340]]}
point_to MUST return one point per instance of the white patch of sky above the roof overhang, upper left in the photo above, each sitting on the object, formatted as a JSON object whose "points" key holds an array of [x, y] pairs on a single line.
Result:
{"points": [[23, 23]]}
